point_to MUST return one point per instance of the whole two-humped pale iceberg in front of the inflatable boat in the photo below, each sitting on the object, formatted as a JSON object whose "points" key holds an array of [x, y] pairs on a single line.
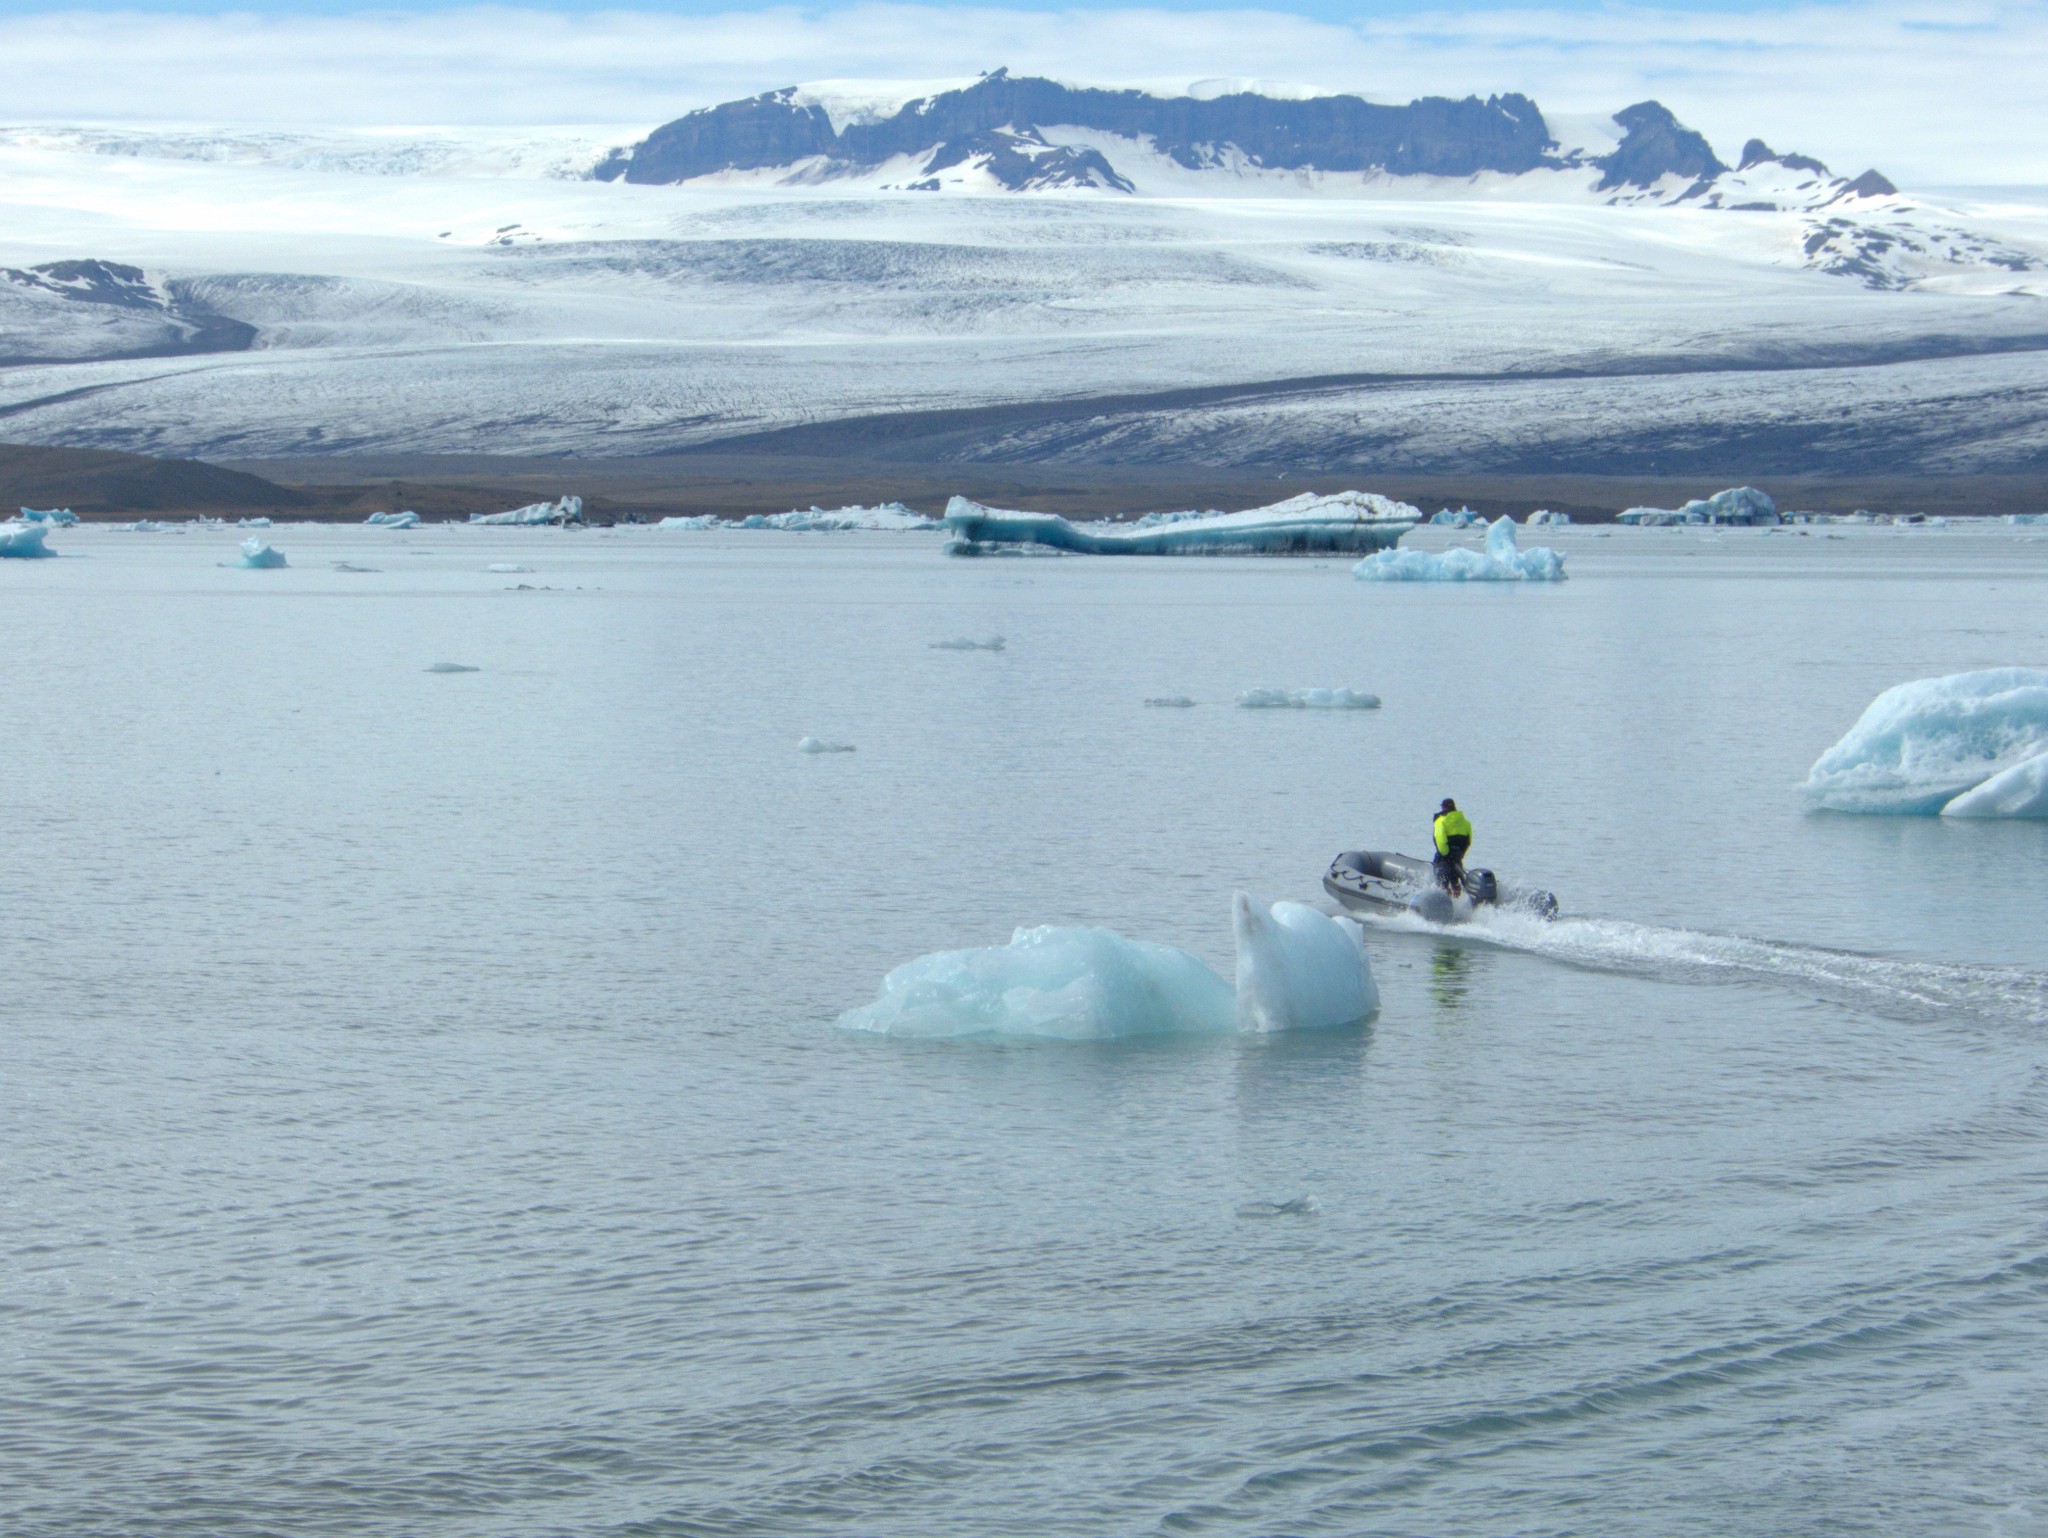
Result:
{"points": [[1297, 970]]}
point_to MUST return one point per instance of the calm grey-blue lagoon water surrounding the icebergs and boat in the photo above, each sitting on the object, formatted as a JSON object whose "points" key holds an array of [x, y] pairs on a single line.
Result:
{"points": [[423, 1111]]}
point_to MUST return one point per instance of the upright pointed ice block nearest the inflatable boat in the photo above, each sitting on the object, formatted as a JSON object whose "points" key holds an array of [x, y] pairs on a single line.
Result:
{"points": [[1299, 970]]}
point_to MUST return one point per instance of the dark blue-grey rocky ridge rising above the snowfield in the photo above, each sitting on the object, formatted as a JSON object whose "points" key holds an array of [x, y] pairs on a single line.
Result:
{"points": [[1000, 118]]}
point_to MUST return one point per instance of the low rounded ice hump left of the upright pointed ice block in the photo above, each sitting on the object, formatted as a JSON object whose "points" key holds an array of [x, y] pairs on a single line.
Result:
{"points": [[1070, 984]]}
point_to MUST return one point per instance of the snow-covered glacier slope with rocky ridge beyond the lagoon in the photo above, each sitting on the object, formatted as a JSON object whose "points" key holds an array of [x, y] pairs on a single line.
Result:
{"points": [[1222, 277]]}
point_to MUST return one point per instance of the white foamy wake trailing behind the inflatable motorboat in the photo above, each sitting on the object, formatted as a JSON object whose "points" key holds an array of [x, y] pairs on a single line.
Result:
{"points": [[1885, 986]]}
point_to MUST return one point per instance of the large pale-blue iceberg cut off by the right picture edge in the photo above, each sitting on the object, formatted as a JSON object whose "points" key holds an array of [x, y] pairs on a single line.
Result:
{"points": [[1967, 746]]}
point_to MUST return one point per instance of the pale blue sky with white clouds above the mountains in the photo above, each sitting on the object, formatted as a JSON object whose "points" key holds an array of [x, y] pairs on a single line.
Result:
{"points": [[1928, 93]]}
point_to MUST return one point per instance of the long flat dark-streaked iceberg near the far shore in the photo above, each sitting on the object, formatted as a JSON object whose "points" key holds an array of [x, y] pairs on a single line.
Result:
{"points": [[1304, 525]]}
